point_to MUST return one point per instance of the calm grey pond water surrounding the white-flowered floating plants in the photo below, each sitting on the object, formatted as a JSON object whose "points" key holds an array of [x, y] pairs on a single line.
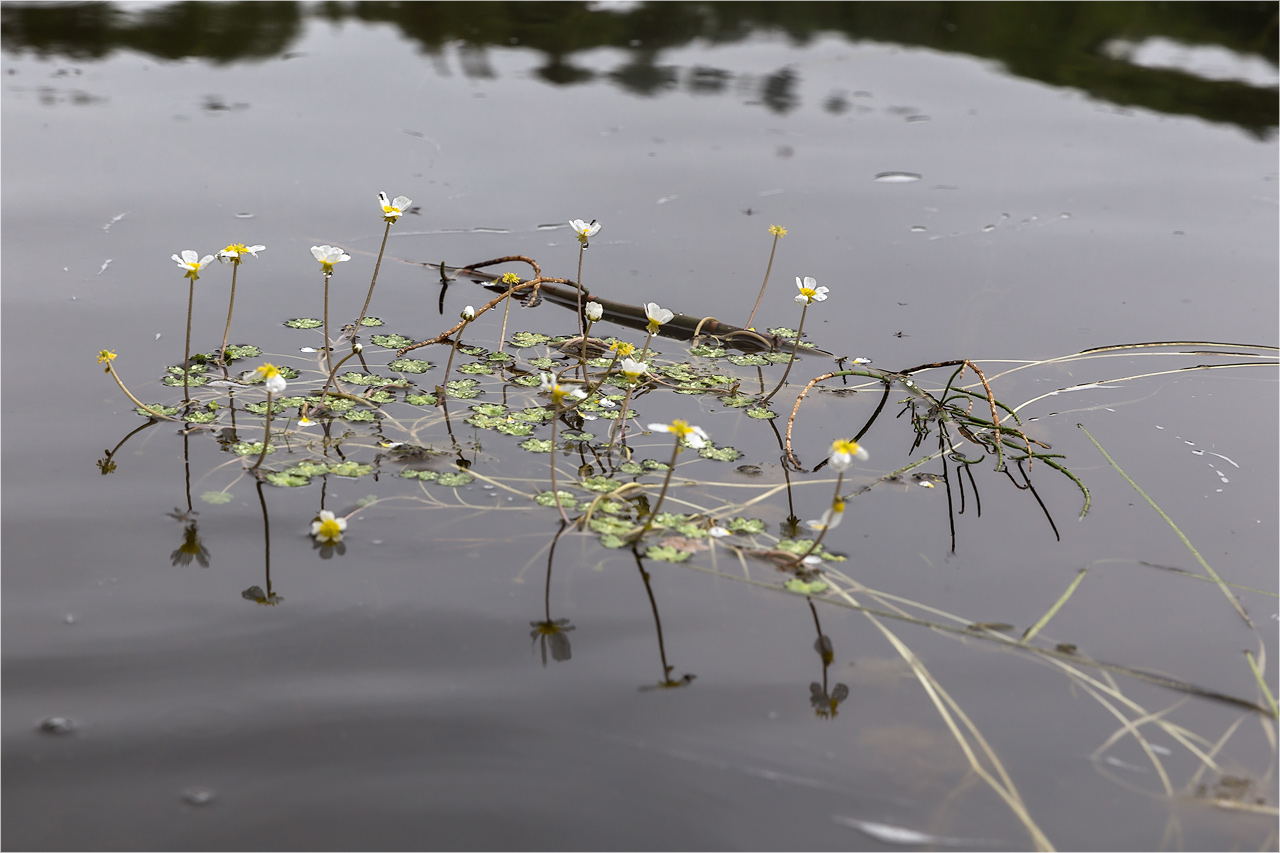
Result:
{"points": [[1005, 185]]}
